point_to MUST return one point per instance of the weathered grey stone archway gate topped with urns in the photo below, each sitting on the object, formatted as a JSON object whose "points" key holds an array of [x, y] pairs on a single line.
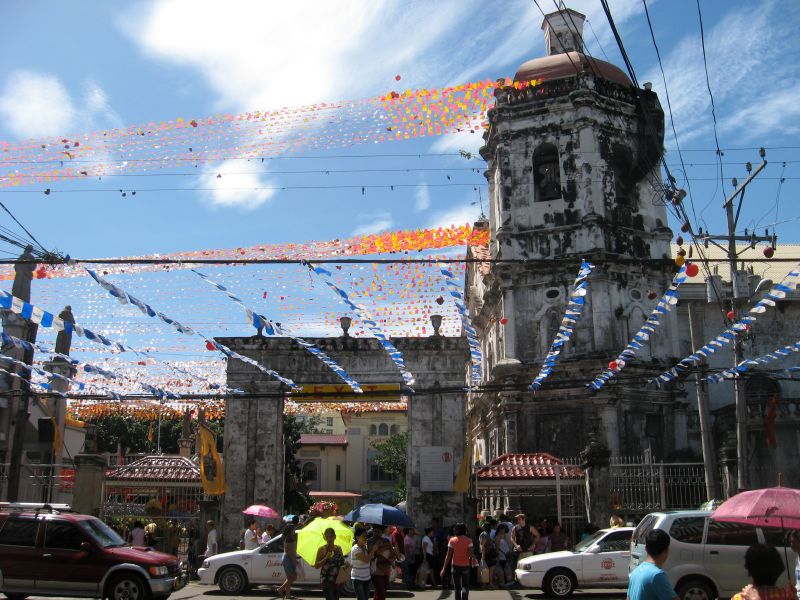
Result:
{"points": [[253, 444]]}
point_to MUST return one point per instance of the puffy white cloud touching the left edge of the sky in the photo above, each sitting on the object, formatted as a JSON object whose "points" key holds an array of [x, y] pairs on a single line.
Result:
{"points": [[36, 105]]}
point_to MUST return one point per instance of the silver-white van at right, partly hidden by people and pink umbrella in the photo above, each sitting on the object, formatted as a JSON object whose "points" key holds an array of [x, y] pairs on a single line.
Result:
{"points": [[706, 558]]}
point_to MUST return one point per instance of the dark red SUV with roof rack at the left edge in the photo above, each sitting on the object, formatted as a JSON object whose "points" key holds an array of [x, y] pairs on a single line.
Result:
{"points": [[50, 551]]}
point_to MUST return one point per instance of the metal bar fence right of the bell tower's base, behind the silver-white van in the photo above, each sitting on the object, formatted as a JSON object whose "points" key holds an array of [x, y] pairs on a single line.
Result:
{"points": [[639, 485]]}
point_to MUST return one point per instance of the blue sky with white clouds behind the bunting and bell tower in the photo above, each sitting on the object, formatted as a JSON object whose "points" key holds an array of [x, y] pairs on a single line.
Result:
{"points": [[67, 67]]}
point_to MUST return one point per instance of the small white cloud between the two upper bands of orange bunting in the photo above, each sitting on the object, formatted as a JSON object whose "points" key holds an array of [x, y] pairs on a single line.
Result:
{"points": [[235, 189]]}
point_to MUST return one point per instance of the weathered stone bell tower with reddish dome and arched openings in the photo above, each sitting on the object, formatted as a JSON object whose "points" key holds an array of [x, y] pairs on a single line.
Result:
{"points": [[573, 172]]}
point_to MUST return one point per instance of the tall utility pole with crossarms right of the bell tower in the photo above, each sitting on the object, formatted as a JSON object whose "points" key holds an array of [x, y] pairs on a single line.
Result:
{"points": [[737, 295]]}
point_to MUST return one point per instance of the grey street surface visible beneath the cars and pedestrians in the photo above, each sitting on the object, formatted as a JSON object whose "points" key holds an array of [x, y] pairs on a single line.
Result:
{"points": [[195, 591]]}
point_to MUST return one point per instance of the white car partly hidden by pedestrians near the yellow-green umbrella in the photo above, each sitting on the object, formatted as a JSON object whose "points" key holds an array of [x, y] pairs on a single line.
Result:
{"points": [[235, 572]]}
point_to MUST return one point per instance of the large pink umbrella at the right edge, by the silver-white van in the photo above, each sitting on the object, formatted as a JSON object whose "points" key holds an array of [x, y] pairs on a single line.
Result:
{"points": [[768, 507]]}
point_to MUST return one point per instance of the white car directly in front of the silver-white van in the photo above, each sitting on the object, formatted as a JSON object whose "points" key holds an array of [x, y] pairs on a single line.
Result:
{"points": [[599, 561]]}
